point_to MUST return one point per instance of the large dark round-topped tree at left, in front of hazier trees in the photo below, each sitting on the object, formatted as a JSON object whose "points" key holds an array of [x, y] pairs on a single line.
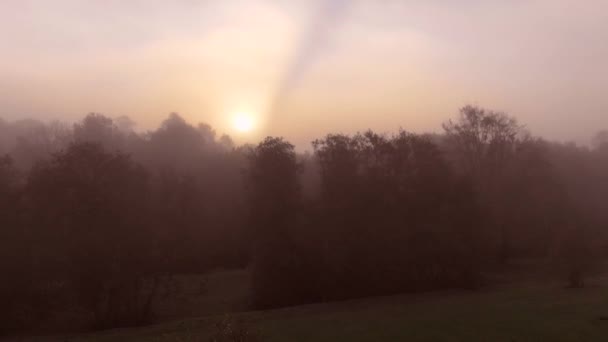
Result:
{"points": [[90, 222]]}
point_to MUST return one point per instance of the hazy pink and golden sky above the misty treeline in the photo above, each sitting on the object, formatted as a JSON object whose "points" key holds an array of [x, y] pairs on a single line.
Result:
{"points": [[304, 68]]}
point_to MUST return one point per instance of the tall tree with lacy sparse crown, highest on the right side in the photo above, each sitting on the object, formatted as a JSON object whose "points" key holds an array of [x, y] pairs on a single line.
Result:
{"points": [[492, 150]]}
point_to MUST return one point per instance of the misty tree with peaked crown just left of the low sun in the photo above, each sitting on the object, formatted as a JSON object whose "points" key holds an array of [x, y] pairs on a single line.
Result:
{"points": [[197, 187]]}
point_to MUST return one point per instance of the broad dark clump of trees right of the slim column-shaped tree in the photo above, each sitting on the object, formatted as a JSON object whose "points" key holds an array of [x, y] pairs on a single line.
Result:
{"points": [[390, 209]]}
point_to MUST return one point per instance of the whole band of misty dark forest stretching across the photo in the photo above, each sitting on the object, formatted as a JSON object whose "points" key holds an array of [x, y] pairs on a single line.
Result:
{"points": [[97, 218]]}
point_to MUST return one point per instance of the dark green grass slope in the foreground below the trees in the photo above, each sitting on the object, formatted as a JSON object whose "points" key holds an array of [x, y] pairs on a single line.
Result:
{"points": [[514, 312]]}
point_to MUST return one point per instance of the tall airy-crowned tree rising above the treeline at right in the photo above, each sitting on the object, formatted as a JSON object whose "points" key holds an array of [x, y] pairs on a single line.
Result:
{"points": [[511, 176]]}
